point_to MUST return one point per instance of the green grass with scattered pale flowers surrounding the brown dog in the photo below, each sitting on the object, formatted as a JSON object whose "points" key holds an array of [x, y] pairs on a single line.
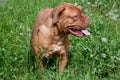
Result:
{"points": [[96, 57]]}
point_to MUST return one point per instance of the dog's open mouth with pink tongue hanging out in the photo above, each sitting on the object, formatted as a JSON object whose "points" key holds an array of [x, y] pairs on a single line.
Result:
{"points": [[79, 33]]}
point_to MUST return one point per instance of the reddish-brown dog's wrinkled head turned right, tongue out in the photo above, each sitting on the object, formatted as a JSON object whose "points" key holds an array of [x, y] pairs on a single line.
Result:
{"points": [[70, 19]]}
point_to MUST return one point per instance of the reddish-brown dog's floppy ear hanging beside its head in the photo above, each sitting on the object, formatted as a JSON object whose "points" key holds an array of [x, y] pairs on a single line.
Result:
{"points": [[57, 13]]}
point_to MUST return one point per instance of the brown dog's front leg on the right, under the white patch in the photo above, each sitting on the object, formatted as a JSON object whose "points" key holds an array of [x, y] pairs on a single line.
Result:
{"points": [[63, 62]]}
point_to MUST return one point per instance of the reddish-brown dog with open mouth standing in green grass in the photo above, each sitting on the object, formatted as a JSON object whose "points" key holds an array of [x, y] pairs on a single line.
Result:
{"points": [[50, 34]]}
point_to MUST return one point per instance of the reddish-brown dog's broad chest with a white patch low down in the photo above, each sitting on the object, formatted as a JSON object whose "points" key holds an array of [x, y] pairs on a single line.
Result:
{"points": [[50, 42]]}
